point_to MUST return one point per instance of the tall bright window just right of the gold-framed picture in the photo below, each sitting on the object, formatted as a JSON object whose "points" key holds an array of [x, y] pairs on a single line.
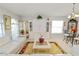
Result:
{"points": [[15, 29]]}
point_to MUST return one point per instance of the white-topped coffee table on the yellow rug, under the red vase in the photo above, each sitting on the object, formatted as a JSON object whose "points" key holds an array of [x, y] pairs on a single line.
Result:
{"points": [[44, 46]]}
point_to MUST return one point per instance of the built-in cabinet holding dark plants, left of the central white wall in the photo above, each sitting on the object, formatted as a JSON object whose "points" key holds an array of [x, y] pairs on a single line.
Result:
{"points": [[23, 28]]}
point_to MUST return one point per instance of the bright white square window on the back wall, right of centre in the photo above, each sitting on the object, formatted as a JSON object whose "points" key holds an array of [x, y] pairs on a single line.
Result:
{"points": [[57, 26]]}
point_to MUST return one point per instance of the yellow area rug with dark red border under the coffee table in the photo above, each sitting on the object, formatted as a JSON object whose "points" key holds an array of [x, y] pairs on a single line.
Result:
{"points": [[55, 49]]}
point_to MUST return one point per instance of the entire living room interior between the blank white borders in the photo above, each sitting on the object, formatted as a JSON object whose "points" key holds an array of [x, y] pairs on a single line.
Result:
{"points": [[39, 28]]}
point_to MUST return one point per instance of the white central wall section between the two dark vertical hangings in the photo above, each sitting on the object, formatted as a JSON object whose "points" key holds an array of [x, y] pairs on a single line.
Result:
{"points": [[38, 29]]}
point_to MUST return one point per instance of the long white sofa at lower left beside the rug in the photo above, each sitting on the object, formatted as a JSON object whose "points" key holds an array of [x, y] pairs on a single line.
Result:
{"points": [[8, 46]]}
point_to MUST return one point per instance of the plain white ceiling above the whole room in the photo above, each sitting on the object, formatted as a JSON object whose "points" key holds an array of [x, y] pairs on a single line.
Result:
{"points": [[45, 9]]}
